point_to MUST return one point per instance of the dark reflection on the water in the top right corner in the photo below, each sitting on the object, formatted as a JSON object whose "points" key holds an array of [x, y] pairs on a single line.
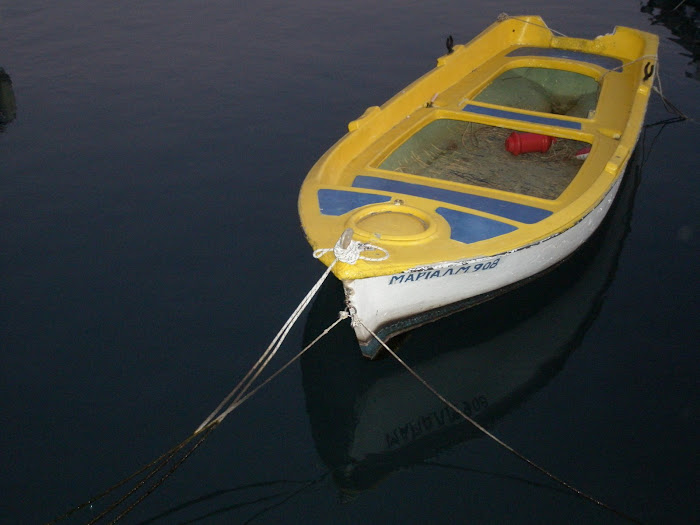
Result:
{"points": [[680, 17]]}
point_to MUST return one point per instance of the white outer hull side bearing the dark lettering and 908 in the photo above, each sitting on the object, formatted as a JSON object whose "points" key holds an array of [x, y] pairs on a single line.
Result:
{"points": [[389, 305]]}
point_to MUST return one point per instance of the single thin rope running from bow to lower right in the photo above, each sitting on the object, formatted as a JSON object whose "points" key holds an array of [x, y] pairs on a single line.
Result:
{"points": [[490, 435]]}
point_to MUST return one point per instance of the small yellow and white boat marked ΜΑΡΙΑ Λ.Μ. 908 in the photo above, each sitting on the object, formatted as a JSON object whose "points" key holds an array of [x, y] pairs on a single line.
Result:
{"points": [[485, 172]]}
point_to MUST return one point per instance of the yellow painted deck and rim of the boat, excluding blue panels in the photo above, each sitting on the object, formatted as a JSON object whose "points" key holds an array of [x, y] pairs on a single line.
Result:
{"points": [[442, 94]]}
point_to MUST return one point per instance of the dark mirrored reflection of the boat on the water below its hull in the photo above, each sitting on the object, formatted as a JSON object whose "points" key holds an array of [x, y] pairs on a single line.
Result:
{"points": [[370, 418]]}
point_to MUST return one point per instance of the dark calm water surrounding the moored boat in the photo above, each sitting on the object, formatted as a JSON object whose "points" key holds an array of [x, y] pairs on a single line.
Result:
{"points": [[150, 249]]}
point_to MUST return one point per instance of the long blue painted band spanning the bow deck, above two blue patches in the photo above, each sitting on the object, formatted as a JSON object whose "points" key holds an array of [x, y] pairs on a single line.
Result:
{"points": [[506, 209]]}
